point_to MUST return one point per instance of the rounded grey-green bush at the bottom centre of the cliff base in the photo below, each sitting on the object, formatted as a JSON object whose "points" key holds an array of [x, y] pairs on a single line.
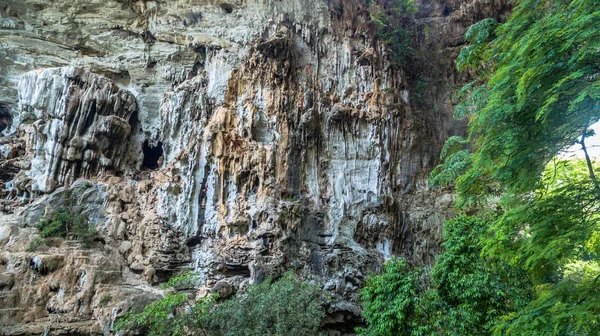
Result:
{"points": [[285, 307]]}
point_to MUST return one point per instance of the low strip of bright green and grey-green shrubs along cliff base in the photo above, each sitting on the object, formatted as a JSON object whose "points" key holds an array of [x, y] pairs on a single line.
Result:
{"points": [[287, 306]]}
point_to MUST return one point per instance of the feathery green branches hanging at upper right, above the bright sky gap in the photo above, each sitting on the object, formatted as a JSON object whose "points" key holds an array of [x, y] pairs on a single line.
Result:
{"points": [[543, 87]]}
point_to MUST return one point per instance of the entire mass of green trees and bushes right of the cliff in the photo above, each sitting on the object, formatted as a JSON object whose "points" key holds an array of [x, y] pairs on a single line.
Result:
{"points": [[525, 260]]}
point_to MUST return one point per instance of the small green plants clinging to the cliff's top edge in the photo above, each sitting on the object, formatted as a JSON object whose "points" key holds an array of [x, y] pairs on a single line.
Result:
{"points": [[389, 16]]}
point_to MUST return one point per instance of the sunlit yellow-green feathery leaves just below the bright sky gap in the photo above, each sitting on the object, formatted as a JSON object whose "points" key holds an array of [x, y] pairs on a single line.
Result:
{"points": [[552, 227]]}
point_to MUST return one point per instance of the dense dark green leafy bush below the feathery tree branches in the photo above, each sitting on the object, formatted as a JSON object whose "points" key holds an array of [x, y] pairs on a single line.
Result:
{"points": [[474, 291]]}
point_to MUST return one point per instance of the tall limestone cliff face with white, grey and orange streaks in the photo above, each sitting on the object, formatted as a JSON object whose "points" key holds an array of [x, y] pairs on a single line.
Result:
{"points": [[239, 139]]}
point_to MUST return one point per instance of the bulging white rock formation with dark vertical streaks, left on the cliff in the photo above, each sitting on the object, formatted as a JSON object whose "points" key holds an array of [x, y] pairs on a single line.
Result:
{"points": [[78, 125]]}
